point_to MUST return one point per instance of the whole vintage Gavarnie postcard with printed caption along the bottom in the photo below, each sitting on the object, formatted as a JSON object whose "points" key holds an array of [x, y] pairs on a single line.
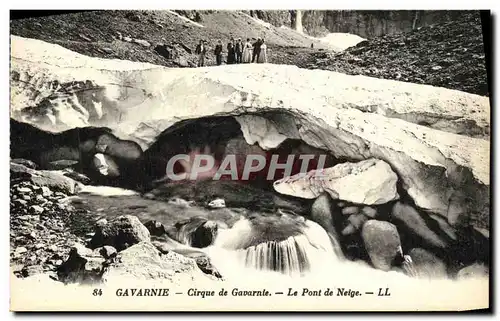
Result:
{"points": [[253, 160]]}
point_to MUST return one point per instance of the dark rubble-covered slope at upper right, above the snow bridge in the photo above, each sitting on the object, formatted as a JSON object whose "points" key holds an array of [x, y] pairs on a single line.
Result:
{"points": [[443, 55]]}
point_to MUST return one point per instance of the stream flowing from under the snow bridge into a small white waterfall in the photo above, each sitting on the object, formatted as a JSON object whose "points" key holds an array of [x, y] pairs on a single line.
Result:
{"points": [[251, 247]]}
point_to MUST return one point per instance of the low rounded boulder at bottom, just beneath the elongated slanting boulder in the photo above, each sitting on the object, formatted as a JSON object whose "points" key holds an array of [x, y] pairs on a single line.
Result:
{"points": [[427, 265]]}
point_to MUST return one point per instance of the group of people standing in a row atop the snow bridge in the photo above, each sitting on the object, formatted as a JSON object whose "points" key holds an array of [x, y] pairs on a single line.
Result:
{"points": [[237, 52]]}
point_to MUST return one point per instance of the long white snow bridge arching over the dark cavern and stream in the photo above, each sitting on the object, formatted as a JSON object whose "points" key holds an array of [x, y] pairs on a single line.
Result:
{"points": [[343, 114]]}
